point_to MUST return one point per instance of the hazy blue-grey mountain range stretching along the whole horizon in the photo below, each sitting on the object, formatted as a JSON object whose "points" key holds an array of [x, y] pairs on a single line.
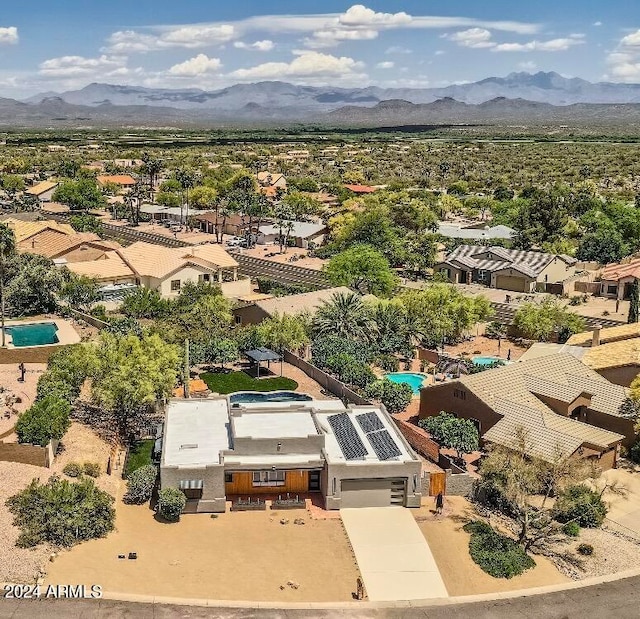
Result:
{"points": [[517, 96]]}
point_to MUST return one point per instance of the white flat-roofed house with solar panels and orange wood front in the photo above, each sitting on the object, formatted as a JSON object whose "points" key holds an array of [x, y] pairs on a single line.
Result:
{"points": [[353, 456]]}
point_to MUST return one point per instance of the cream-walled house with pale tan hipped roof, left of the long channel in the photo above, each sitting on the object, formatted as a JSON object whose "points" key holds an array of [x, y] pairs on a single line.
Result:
{"points": [[167, 269]]}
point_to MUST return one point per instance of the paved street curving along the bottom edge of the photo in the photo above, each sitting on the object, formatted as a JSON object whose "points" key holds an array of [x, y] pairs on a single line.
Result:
{"points": [[615, 599]]}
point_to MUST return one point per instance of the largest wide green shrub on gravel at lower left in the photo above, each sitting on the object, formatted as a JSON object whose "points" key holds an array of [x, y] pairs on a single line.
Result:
{"points": [[61, 512]]}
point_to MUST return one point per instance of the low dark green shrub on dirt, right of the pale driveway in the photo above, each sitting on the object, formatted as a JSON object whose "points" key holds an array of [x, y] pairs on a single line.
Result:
{"points": [[497, 555]]}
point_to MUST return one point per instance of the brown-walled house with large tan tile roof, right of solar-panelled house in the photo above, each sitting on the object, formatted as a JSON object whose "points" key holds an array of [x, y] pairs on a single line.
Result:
{"points": [[564, 408]]}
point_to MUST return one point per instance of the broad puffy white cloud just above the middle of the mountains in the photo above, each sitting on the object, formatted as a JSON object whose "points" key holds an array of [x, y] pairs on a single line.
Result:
{"points": [[306, 64]]}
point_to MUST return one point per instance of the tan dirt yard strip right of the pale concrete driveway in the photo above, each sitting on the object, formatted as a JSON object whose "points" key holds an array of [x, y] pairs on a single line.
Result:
{"points": [[450, 547]]}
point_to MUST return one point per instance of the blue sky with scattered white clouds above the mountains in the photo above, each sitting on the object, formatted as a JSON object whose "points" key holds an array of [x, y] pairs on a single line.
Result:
{"points": [[49, 46]]}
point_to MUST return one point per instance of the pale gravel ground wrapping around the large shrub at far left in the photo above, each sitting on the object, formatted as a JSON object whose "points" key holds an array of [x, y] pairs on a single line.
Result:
{"points": [[81, 445]]}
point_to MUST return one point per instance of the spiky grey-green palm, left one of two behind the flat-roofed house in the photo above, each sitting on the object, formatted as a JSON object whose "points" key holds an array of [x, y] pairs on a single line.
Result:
{"points": [[345, 315]]}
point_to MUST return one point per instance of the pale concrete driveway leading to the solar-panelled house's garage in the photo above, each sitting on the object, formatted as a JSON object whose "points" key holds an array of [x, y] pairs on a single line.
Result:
{"points": [[393, 556]]}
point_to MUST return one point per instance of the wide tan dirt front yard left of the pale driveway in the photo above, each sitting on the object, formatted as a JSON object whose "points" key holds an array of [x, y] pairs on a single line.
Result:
{"points": [[236, 556]]}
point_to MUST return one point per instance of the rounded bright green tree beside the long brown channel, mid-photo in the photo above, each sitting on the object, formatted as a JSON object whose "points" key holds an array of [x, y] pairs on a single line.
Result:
{"points": [[364, 269]]}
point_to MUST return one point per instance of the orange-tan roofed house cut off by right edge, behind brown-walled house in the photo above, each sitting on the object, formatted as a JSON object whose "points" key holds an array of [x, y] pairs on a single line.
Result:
{"points": [[613, 352]]}
